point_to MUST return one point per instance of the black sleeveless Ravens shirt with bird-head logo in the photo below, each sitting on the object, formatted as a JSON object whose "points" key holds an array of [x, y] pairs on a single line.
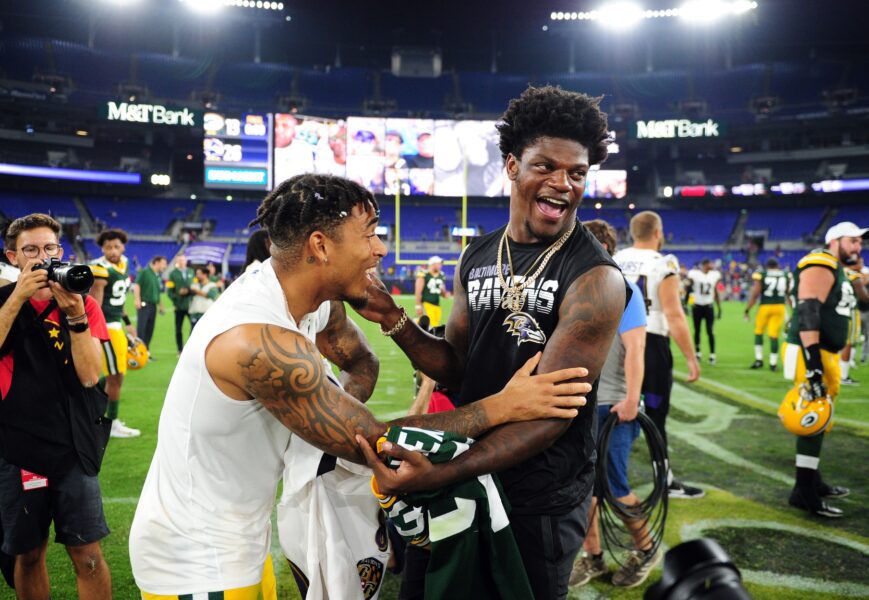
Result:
{"points": [[499, 342]]}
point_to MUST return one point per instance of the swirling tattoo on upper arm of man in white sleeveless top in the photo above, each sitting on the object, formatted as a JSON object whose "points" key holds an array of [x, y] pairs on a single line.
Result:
{"points": [[288, 377]]}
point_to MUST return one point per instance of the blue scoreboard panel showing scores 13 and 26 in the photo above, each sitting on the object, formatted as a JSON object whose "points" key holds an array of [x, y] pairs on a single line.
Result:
{"points": [[237, 152]]}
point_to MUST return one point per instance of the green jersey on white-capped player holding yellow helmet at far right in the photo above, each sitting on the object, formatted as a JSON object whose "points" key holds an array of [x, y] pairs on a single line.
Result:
{"points": [[835, 310]]}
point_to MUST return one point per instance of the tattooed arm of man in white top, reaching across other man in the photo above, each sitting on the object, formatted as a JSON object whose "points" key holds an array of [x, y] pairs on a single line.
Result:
{"points": [[284, 372]]}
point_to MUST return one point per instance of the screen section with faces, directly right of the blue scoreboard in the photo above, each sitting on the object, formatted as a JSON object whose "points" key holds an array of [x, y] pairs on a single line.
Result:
{"points": [[309, 145]]}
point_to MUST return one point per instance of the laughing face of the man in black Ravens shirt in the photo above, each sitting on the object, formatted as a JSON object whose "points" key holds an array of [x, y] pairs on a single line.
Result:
{"points": [[548, 183]]}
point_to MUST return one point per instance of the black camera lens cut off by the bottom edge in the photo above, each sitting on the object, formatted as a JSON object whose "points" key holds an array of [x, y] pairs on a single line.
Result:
{"points": [[698, 570]]}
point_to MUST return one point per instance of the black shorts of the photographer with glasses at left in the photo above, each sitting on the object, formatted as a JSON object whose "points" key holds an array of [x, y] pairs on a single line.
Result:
{"points": [[73, 501]]}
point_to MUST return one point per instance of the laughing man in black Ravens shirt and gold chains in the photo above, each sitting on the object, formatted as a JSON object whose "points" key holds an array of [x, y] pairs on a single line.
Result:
{"points": [[542, 282]]}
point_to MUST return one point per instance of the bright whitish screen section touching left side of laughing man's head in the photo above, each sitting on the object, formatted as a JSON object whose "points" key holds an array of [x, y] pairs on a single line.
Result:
{"points": [[471, 144]]}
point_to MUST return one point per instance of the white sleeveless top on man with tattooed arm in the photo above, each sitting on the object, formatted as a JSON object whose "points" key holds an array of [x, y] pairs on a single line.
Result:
{"points": [[203, 521]]}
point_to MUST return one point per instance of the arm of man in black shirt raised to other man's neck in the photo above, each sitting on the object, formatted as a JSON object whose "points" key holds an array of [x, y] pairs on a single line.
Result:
{"points": [[442, 359]]}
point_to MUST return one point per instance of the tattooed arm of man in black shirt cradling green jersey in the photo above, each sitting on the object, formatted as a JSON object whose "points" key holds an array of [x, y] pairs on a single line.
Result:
{"points": [[588, 319]]}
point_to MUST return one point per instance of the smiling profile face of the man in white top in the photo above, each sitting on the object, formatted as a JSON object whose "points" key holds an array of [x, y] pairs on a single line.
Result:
{"points": [[356, 252]]}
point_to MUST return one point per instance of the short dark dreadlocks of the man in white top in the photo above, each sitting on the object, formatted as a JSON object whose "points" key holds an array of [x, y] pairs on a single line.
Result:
{"points": [[307, 203]]}
